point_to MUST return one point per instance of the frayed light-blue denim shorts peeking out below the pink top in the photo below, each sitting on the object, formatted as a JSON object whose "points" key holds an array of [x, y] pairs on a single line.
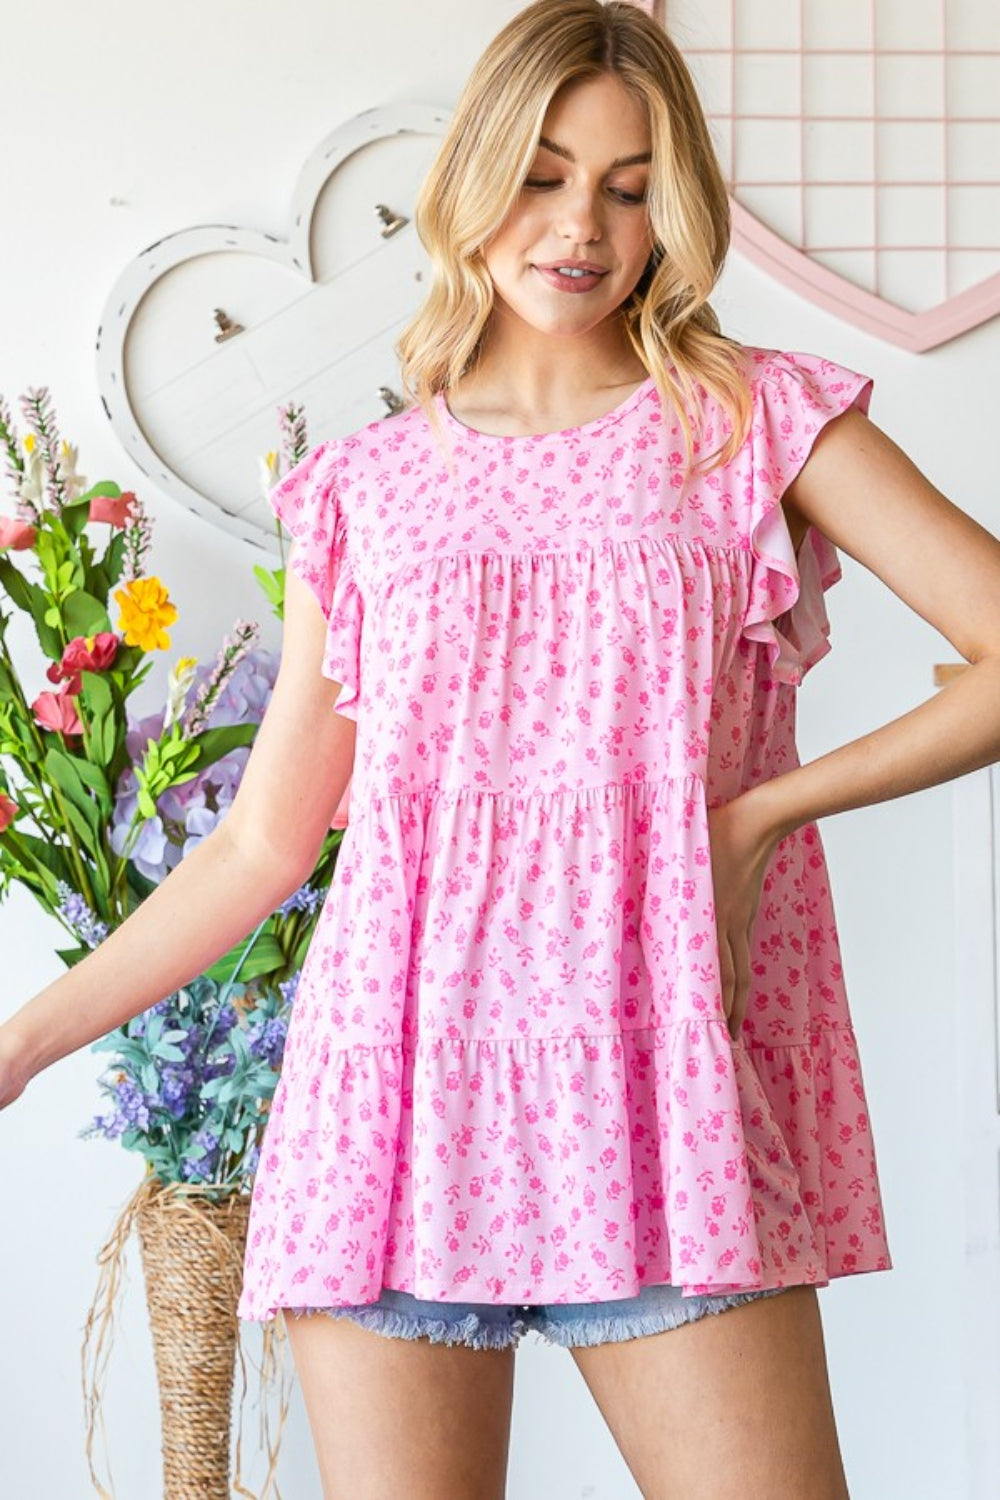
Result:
{"points": [[484, 1325]]}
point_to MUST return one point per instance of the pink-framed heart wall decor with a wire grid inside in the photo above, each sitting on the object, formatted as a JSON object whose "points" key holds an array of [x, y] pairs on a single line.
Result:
{"points": [[861, 142]]}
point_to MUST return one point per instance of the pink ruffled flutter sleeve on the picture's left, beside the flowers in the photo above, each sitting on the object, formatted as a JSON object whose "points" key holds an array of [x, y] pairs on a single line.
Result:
{"points": [[308, 506]]}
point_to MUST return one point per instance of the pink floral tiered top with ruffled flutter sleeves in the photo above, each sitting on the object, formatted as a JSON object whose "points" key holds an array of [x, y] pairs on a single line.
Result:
{"points": [[509, 1075]]}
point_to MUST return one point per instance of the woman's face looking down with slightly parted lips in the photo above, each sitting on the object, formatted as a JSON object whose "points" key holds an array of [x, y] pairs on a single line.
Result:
{"points": [[582, 200]]}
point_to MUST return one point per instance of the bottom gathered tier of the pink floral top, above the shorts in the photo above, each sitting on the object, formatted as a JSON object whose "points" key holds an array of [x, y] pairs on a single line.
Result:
{"points": [[735, 1160]]}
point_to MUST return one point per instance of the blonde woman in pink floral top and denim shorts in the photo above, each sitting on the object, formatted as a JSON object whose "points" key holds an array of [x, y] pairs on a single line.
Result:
{"points": [[572, 1049]]}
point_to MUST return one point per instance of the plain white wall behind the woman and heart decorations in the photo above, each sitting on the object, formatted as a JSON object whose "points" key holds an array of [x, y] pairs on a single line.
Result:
{"points": [[121, 125]]}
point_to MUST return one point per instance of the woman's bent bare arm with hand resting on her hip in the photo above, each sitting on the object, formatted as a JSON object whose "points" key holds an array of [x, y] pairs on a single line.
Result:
{"points": [[873, 503]]}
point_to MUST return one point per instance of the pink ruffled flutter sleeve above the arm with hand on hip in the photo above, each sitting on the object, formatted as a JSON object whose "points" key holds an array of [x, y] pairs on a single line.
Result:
{"points": [[795, 397]]}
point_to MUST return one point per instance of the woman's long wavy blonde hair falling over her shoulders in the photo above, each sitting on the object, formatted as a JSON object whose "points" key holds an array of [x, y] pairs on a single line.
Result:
{"points": [[479, 173]]}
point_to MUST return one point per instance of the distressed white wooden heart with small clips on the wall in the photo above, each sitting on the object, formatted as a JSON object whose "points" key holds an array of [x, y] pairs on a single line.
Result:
{"points": [[212, 329]]}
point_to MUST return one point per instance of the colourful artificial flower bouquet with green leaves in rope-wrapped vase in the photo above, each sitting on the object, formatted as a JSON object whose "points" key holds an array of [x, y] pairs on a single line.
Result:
{"points": [[97, 805]]}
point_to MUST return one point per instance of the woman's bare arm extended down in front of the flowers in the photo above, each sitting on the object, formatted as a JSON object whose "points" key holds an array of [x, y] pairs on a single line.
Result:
{"points": [[266, 847]]}
